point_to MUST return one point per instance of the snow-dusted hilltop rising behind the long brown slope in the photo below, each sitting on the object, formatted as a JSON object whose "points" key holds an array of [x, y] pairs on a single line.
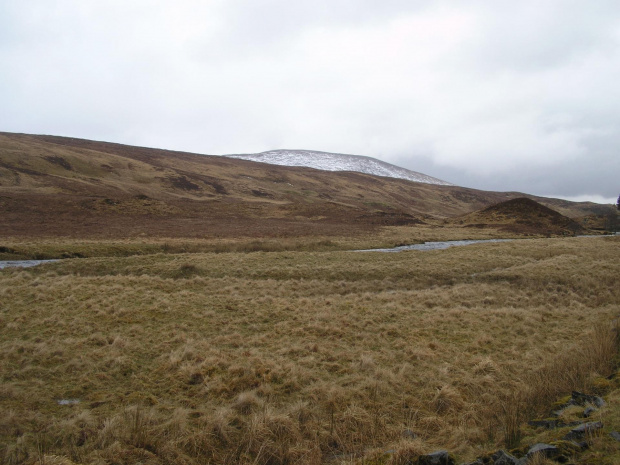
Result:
{"points": [[338, 162]]}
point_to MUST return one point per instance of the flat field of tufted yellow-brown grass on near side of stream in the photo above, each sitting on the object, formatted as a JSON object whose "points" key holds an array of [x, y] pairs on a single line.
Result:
{"points": [[299, 357]]}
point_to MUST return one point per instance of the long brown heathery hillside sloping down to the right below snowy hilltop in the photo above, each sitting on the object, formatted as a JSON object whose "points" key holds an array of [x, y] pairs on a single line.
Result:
{"points": [[56, 186]]}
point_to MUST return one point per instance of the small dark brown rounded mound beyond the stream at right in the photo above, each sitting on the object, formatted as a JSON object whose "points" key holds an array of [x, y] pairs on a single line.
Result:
{"points": [[524, 216]]}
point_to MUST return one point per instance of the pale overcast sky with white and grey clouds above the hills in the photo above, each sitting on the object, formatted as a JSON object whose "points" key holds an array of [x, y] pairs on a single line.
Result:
{"points": [[492, 94]]}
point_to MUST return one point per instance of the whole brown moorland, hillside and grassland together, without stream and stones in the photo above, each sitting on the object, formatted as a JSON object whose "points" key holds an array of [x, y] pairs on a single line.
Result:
{"points": [[213, 311]]}
